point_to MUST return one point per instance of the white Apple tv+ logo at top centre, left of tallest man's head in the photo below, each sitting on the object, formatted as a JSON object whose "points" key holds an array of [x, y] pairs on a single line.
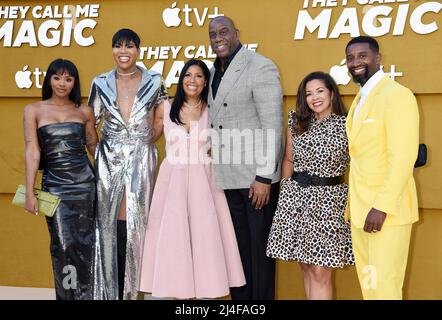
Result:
{"points": [[171, 16]]}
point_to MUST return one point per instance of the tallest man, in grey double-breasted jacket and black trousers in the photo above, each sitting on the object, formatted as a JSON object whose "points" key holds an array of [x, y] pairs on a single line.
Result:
{"points": [[245, 108]]}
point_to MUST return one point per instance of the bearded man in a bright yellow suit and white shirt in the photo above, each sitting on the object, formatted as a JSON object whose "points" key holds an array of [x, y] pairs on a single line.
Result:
{"points": [[383, 130]]}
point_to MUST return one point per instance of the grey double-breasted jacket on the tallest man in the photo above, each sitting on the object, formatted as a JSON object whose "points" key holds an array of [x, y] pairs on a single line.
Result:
{"points": [[247, 121]]}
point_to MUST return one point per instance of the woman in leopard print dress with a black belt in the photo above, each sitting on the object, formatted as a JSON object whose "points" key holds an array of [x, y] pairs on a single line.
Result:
{"points": [[309, 225]]}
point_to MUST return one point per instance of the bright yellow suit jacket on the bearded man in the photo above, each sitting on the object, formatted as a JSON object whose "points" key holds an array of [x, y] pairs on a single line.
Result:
{"points": [[383, 144]]}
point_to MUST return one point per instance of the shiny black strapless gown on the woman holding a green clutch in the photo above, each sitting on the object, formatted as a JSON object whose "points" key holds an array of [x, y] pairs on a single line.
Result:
{"points": [[68, 173]]}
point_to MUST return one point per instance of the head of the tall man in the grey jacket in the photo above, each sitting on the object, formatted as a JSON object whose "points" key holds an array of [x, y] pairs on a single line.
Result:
{"points": [[224, 37]]}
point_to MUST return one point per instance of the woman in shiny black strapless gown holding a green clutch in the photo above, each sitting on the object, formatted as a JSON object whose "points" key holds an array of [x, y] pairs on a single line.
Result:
{"points": [[57, 130]]}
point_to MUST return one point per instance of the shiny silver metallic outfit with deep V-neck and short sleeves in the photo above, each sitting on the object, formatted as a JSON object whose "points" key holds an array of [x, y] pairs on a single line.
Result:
{"points": [[125, 161]]}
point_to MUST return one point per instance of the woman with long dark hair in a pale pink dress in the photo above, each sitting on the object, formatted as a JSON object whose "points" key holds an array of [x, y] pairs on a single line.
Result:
{"points": [[190, 249]]}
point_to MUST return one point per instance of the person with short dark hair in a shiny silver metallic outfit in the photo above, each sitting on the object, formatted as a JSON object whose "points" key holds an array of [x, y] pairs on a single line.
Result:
{"points": [[124, 100]]}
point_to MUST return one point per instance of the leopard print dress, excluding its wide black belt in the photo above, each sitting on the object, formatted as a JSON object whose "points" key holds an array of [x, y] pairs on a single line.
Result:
{"points": [[309, 224]]}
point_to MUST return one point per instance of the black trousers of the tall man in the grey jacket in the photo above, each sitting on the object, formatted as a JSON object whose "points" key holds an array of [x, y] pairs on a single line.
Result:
{"points": [[252, 229]]}
